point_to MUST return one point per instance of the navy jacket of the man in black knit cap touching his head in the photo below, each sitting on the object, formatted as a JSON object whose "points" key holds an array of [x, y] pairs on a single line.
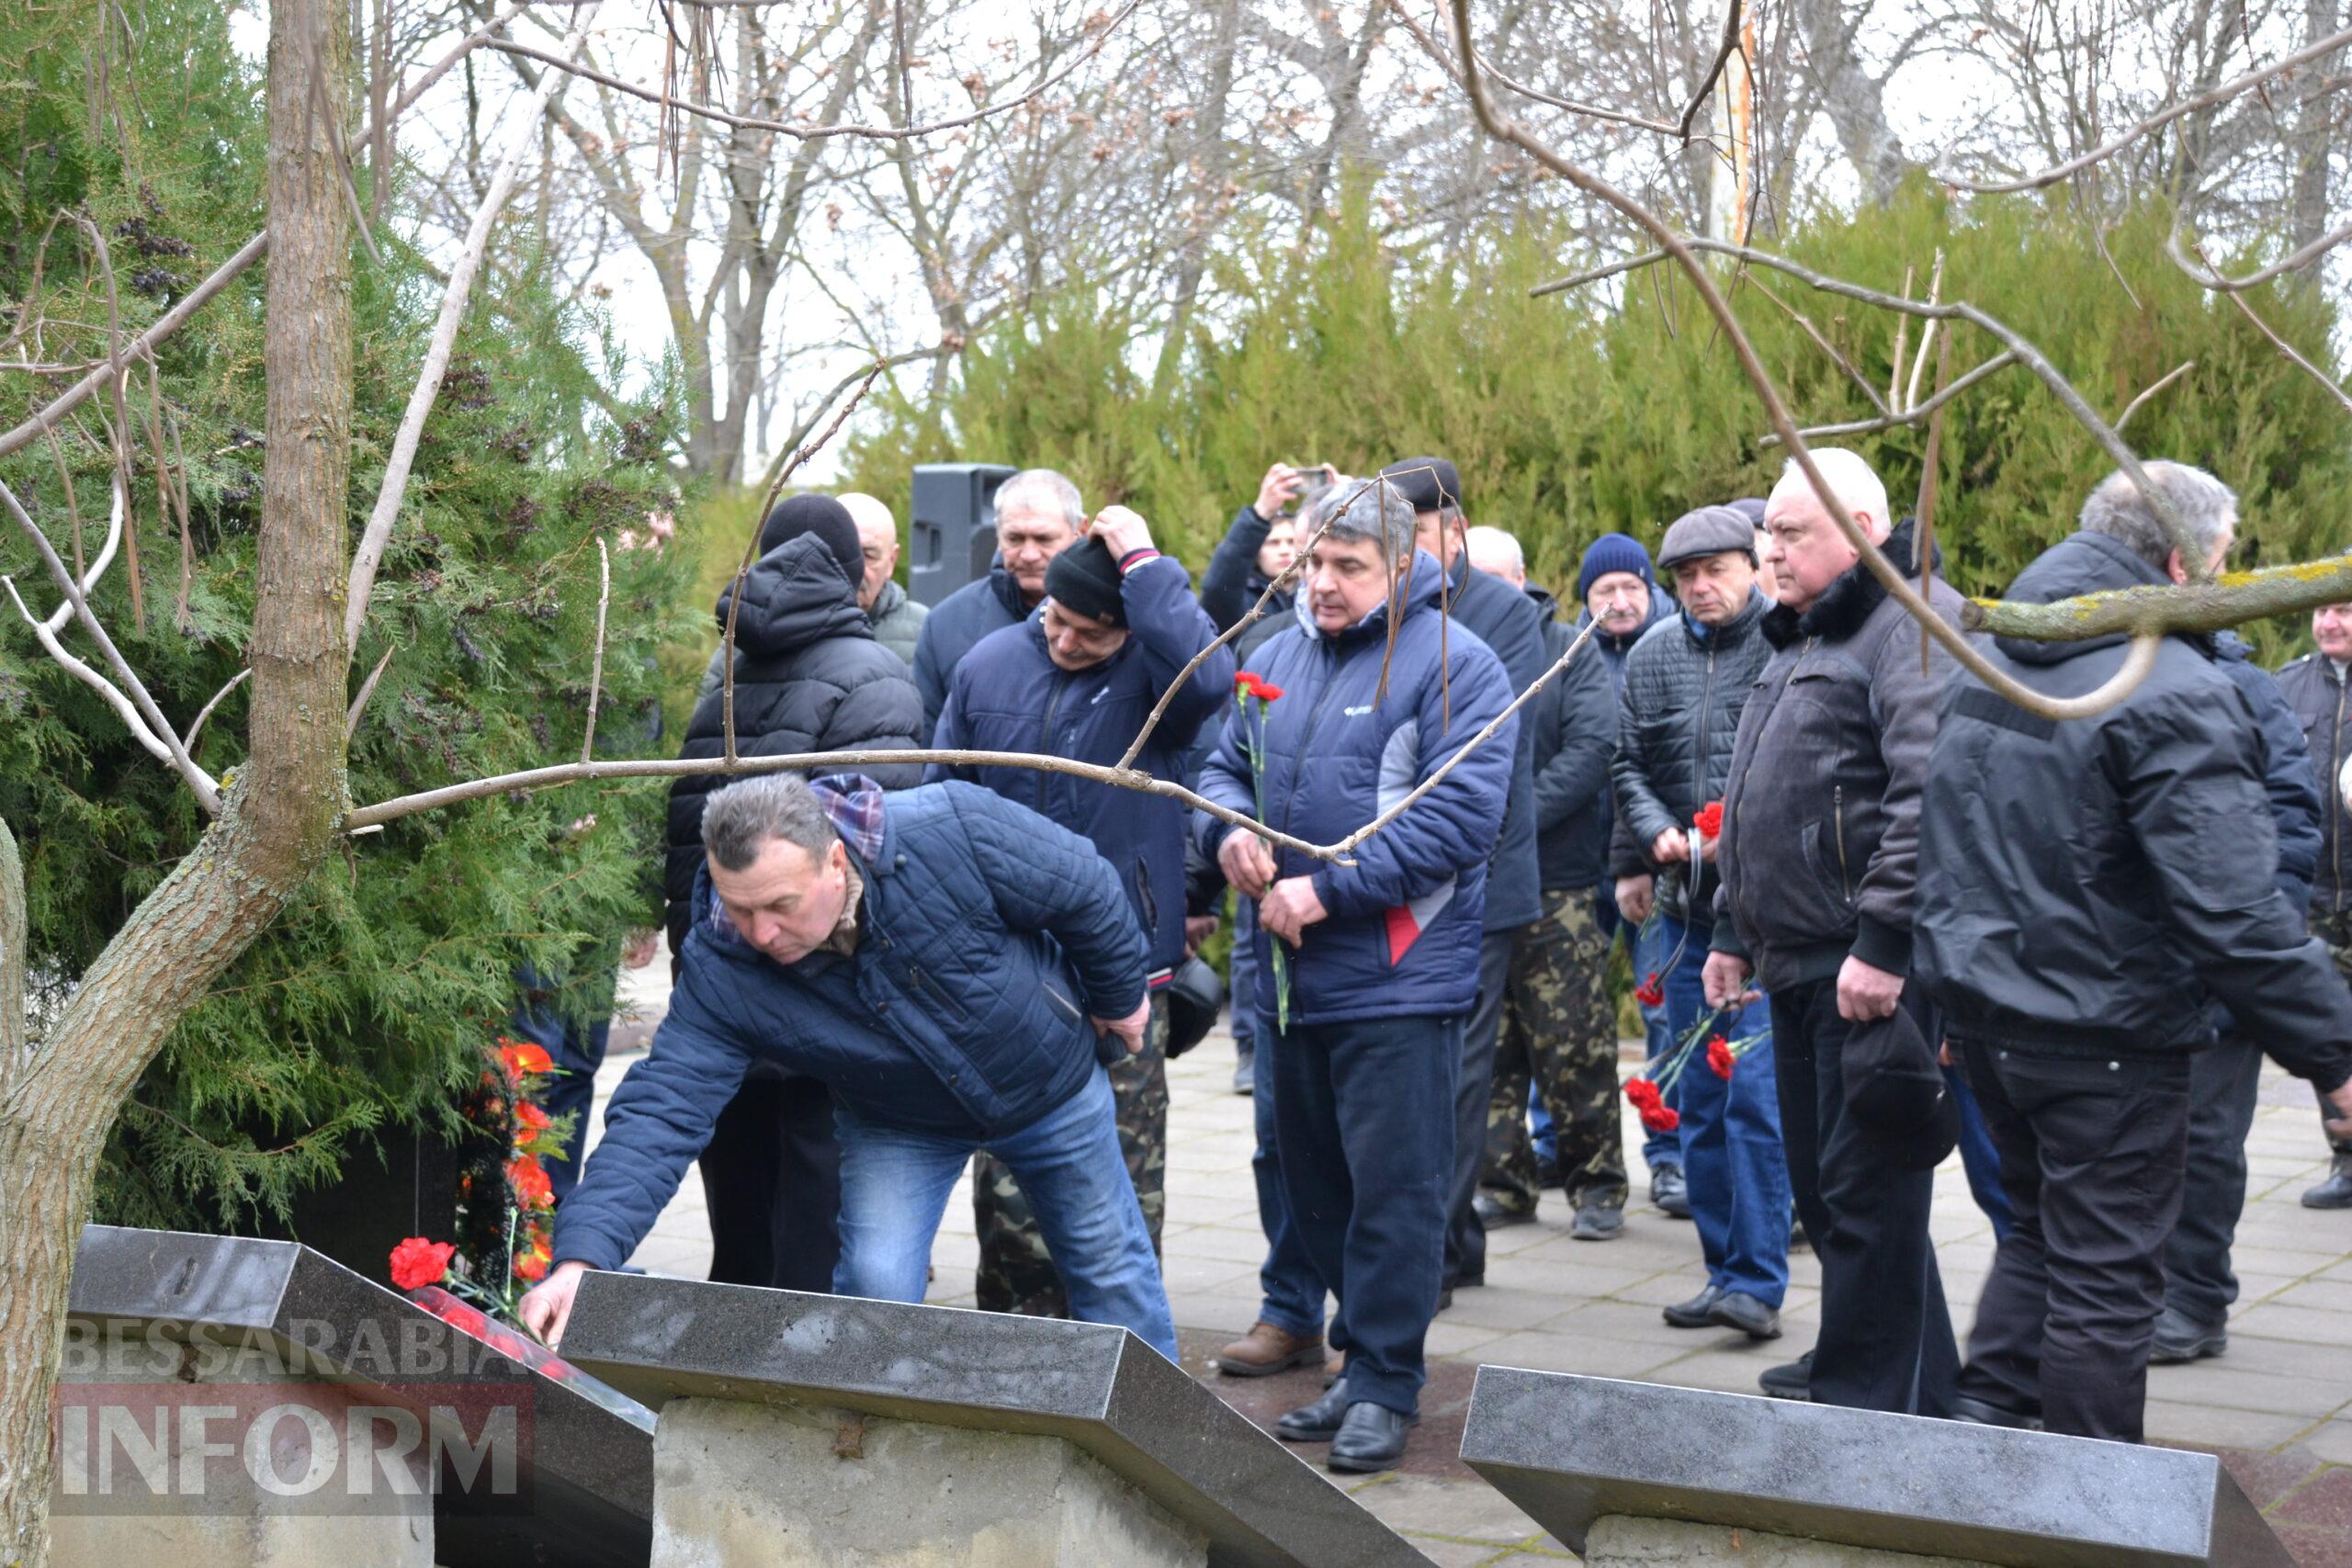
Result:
{"points": [[1010, 697]]}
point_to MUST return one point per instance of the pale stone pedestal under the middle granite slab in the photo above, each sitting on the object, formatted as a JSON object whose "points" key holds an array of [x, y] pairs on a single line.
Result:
{"points": [[794, 1487]]}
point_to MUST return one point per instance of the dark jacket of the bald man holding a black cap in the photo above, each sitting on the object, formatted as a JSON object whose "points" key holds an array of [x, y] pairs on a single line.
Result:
{"points": [[1822, 815]]}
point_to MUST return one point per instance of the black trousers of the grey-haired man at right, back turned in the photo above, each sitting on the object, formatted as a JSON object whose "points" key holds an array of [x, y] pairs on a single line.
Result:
{"points": [[2092, 1158]]}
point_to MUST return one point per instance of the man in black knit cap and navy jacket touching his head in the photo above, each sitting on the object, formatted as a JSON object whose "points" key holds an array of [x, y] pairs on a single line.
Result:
{"points": [[1078, 681]]}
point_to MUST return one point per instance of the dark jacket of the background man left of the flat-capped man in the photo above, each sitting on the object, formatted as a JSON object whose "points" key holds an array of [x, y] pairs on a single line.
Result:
{"points": [[1575, 721]]}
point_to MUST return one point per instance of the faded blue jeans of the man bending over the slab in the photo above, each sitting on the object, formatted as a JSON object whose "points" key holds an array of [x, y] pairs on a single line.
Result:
{"points": [[897, 1184]]}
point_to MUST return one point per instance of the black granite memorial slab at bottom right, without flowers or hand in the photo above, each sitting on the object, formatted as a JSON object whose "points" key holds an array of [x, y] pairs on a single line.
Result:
{"points": [[1572, 1449]]}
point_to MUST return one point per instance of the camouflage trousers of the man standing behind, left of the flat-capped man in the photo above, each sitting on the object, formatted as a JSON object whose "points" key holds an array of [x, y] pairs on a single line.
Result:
{"points": [[1558, 1033]]}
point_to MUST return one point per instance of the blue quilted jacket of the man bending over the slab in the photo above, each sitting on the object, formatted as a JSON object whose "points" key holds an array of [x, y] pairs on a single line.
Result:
{"points": [[987, 937]]}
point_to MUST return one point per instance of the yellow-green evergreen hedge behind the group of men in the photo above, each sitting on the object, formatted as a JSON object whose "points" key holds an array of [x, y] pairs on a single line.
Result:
{"points": [[1619, 406]]}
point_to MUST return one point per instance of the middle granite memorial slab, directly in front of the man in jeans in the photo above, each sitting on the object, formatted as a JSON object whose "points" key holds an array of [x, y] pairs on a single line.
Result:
{"points": [[1102, 1391]]}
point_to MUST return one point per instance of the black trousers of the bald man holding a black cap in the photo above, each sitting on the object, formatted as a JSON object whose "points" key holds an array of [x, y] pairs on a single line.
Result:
{"points": [[1885, 1329]]}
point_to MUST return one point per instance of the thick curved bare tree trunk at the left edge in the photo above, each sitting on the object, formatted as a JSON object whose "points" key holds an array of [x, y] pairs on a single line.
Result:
{"points": [[60, 1101]]}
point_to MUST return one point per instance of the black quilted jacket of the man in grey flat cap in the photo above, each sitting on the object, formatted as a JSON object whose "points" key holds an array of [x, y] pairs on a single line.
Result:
{"points": [[1681, 713]]}
